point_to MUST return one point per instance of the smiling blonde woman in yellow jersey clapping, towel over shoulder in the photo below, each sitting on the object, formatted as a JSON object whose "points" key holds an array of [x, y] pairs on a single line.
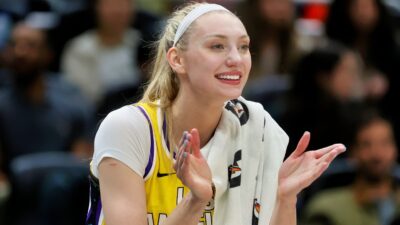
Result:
{"points": [[224, 169]]}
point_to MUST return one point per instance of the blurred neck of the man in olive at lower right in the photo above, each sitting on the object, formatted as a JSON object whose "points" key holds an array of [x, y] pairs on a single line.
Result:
{"points": [[367, 193]]}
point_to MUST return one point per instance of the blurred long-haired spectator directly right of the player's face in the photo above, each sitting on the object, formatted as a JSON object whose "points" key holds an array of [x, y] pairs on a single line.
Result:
{"points": [[274, 49]]}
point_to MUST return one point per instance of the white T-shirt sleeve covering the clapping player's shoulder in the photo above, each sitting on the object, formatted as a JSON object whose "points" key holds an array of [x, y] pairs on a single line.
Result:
{"points": [[124, 135]]}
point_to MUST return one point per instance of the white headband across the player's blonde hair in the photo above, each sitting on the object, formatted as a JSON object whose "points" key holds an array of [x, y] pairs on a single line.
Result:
{"points": [[193, 15]]}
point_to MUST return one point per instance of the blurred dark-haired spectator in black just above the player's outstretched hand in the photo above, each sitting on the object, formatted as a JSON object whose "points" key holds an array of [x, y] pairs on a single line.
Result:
{"points": [[327, 90]]}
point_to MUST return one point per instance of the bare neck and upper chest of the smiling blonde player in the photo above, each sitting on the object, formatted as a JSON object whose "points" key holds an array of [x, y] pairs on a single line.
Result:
{"points": [[188, 114]]}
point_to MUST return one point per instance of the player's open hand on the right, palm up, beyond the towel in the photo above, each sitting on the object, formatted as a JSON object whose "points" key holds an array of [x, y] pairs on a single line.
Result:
{"points": [[302, 167]]}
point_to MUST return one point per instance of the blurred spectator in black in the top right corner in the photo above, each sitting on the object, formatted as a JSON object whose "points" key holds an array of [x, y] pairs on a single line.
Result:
{"points": [[367, 27]]}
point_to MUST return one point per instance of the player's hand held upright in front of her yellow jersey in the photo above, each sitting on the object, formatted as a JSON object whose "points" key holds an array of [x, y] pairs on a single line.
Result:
{"points": [[191, 167]]}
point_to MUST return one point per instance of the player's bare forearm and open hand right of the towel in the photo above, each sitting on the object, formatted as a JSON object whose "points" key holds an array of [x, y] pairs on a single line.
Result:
{"points": [[296, 173]]}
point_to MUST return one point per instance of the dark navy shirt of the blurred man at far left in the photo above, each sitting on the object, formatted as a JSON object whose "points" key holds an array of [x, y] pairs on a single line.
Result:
{"points": [[51, 126]]}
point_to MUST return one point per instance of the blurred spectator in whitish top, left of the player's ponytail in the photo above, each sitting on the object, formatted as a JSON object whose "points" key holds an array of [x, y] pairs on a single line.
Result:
{"points": [[103, 61]]}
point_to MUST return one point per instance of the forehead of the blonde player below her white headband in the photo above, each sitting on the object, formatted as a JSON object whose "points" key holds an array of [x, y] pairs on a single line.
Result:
{"points": [[218, 23]]}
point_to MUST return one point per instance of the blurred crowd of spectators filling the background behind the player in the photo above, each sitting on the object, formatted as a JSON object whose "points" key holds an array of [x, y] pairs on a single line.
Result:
{"points": [[331, 67]]}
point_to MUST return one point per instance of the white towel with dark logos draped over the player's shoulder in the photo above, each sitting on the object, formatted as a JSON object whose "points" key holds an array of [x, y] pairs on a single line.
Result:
{"points": [[247, 134]]}
